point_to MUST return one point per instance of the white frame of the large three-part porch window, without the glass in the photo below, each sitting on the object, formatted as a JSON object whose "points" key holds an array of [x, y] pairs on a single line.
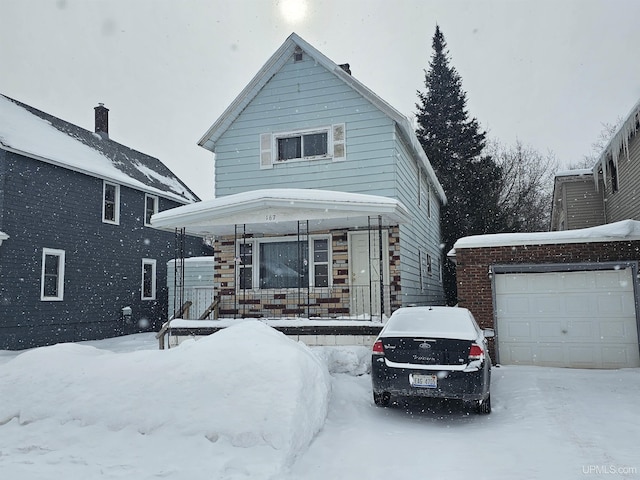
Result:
{"points": [[255, 253]]}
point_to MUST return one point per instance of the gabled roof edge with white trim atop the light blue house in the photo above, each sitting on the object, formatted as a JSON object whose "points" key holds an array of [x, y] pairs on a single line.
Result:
{"points": [[275, 63]]}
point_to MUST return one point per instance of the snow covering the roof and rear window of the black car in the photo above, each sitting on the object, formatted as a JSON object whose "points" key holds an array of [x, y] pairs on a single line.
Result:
{"points": [[437, 322]]}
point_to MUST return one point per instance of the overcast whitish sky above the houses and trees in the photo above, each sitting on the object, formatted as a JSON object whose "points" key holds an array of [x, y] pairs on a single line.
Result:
{"points": [[546, 72]]}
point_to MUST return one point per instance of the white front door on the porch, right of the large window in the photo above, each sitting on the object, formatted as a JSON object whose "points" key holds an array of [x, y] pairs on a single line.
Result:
{"points": [[364, 272]]}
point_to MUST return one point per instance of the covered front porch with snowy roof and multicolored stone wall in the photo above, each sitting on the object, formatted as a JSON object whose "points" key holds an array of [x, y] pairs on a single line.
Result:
{"points": [[295, 253]]}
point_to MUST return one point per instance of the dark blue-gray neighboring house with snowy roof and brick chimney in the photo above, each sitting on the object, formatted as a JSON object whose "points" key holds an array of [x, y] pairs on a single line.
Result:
{"points": [[78, 259]]}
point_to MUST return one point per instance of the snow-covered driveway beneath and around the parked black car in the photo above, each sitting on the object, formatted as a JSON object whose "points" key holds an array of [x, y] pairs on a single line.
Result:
{"points": [[546, 423]]}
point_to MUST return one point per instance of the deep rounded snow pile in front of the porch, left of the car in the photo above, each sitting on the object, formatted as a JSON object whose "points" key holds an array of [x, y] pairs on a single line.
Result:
{"points": [[246, 387]]}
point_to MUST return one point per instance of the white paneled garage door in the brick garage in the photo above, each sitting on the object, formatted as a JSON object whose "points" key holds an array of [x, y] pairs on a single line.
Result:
{"points": [[583, 319]]}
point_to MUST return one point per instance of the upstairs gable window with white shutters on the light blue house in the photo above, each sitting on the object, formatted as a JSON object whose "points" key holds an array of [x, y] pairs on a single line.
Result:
{"points": [[311, 144]]}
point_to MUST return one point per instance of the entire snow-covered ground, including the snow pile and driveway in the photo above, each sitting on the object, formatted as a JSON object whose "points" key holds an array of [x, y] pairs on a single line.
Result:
{"points": [[248, 403]]}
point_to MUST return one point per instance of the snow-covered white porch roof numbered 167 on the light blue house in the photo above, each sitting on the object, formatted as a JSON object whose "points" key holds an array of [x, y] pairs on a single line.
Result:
{"points": [[277, 211]]}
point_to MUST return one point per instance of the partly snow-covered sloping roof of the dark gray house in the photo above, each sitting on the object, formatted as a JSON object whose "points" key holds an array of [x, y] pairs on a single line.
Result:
{"points": [[33, 133]]}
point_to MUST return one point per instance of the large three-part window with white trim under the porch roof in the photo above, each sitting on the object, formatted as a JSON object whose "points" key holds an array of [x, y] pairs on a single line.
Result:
{"points": [[284, 262]]}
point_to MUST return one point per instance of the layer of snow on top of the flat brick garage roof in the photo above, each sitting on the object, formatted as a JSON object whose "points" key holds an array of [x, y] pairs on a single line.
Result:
{"points": [[611, 232]]}
